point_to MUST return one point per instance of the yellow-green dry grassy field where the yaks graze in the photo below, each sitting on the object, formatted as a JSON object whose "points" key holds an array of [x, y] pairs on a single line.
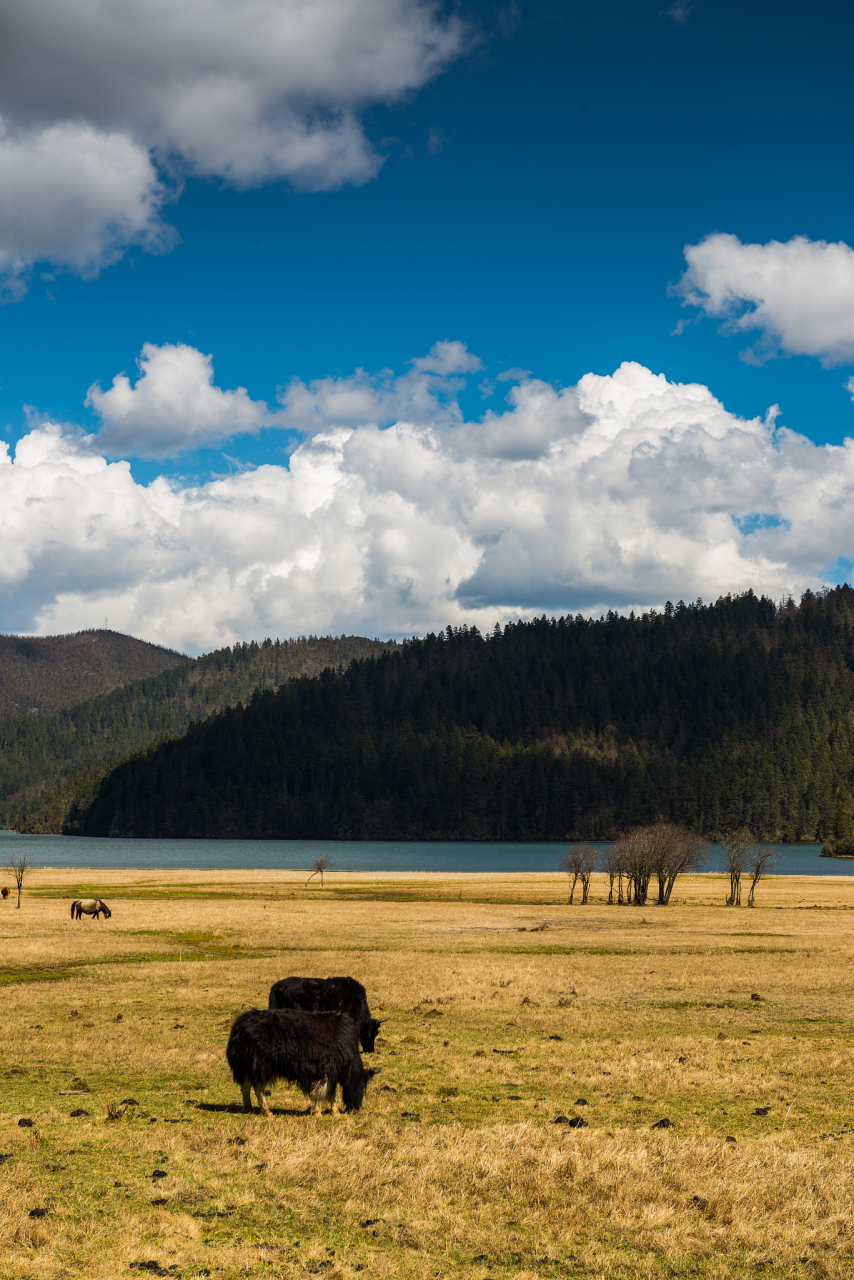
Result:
{"points": [[508, 1011]]}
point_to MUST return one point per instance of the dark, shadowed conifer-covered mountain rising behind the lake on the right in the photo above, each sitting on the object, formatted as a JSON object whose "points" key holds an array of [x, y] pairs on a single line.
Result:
{"points": [[724, 716]]}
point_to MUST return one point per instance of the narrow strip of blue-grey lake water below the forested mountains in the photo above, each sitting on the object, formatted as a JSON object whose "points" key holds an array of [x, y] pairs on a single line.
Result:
{"points": [[348, 856]]}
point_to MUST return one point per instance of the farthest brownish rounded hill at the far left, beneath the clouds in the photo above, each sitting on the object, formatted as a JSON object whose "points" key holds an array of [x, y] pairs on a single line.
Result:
{"points": [[40, 675]]}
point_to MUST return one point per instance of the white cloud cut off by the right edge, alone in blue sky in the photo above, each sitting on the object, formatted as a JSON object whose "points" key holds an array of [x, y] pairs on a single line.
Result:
{"points": [[800, 295]]}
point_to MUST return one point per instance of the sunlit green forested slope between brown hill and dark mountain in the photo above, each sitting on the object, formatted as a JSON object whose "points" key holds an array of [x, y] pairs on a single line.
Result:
{"points": [[48, 762]]}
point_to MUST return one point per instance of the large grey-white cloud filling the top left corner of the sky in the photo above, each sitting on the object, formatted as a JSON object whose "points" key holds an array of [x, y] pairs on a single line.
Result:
{"points": [[248, 92]]}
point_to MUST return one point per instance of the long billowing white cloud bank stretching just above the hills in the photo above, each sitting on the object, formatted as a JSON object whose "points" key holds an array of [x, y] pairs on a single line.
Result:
{"points": [[622, 492]]}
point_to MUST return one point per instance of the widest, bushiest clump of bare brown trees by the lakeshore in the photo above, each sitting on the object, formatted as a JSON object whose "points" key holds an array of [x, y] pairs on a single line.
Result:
{"points": [[661, 852]]}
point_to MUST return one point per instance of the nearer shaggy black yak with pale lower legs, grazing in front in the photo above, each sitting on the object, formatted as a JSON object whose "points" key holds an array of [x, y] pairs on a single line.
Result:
{"points": [[316, 1052]]}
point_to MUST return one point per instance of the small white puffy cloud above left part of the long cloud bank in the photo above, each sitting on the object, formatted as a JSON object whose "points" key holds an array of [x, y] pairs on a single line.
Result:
{"points": [[173, 406]]}
